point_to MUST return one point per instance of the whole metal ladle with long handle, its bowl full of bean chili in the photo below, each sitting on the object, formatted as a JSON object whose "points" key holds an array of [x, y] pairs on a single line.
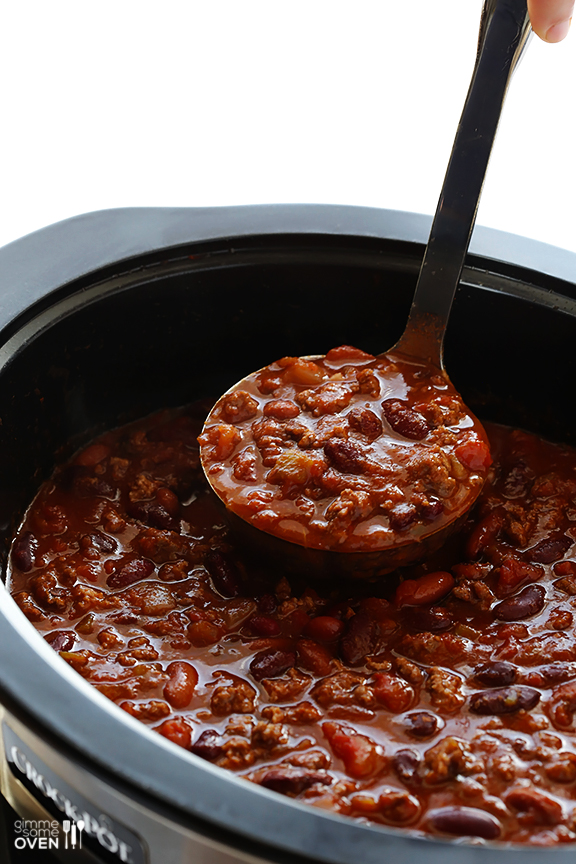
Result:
{"points": [[356, 463]]}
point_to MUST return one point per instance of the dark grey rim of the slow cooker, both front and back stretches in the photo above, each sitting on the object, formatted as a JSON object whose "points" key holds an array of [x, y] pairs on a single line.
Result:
{"points": [[311, 828]]}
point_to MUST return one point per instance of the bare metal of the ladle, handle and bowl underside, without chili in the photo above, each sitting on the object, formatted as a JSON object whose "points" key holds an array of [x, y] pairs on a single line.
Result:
{"points": [[504, 33]]}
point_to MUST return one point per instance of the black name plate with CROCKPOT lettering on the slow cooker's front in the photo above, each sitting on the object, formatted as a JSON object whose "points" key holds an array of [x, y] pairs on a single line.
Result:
{"points": [[100, 832]]}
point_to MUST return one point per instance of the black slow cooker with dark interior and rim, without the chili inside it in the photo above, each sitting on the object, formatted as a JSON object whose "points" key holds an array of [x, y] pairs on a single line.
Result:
{"points": [[110, 315]]}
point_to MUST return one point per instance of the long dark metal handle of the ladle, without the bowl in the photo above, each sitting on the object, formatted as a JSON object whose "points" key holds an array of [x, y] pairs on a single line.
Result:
{"points": [[504, 33]]}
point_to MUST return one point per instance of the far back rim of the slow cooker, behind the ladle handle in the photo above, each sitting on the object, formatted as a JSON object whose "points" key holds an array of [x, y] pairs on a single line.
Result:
{"points": [[34, 266]]}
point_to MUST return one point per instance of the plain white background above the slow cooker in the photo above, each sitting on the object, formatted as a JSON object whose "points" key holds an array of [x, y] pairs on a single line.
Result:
{"points": [[171, 103]]}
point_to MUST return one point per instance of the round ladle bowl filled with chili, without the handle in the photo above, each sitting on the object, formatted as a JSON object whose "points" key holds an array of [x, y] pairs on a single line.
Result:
{"points": [[321, 547]]}
